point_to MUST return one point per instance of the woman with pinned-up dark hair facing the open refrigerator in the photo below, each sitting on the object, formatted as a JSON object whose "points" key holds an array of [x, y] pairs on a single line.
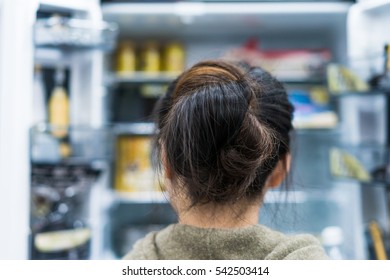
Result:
{"points": [[223, 141]]}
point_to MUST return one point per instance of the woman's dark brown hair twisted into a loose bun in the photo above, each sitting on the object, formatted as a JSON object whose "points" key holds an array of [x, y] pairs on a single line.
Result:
{"points": [[222, 129]]}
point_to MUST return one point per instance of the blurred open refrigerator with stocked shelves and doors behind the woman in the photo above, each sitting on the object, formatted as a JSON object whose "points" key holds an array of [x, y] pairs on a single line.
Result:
{"points": [[78, 82]]}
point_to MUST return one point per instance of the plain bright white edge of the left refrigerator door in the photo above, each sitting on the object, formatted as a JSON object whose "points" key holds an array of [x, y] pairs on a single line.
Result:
{"points": [[16, 83]]}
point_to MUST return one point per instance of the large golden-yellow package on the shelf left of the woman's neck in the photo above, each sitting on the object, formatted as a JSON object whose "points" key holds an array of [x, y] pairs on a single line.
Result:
{"points": [[133, 165]]}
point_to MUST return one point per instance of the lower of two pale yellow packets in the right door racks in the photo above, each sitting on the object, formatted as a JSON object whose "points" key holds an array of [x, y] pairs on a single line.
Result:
{"points": [[344, 164]]}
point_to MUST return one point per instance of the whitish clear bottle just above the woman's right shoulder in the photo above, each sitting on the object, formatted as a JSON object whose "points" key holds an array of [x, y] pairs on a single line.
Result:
{"points": [[332, 240]]}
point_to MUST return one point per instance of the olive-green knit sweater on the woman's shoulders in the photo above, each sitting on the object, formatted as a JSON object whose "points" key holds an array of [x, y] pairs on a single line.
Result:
{"points": [[183, 242]]}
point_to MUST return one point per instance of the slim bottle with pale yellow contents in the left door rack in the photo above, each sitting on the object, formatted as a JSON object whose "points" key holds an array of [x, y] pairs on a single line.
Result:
{"points": [[59, 113]]}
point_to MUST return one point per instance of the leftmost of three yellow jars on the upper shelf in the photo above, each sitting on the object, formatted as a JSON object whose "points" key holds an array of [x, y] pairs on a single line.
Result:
{"points": [[126, 58]]}
